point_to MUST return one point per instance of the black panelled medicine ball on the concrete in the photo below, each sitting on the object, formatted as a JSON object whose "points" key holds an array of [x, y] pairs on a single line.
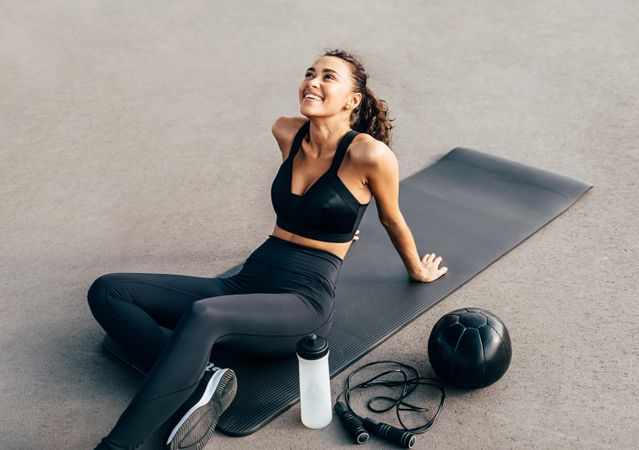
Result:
{"points": [[469, 348]]}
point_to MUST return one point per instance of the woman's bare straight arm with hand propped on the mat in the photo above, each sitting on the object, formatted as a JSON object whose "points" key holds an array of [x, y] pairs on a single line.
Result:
{"points": [[383, 181]]}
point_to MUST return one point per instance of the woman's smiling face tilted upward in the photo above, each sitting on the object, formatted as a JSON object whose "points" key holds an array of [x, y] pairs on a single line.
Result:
{"points": [[327, 89]]}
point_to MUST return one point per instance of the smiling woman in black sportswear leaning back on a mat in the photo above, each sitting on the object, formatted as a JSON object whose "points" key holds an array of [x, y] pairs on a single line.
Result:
{"points": [[335, 159]]}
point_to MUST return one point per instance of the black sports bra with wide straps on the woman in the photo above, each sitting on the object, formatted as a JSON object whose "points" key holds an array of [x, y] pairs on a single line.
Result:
{"points": [[327, 211]]}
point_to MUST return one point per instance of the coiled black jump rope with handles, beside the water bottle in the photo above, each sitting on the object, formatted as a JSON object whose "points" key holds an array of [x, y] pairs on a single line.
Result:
{"points": [[360, 427]]}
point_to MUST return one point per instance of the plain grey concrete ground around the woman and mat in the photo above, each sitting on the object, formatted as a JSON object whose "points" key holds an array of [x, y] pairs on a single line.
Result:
{"points": [[135, 137]]}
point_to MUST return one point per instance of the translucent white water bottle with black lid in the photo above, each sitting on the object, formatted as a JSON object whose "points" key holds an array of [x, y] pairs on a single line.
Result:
{"points": [[315, 381]]}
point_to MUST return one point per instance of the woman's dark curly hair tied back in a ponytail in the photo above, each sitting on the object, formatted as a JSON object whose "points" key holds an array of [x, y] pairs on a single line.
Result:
{"points": [[371, 115]]}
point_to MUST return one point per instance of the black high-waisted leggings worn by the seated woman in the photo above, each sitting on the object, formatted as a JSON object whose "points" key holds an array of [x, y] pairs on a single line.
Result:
{"points": [[283, 292]]}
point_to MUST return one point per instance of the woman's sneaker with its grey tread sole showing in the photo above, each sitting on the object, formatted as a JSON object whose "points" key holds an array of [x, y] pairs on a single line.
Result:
{"points": [[197, 426]]}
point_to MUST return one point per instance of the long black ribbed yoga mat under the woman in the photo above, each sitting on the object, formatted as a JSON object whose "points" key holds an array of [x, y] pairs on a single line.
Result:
{"points": [[470, 207]]}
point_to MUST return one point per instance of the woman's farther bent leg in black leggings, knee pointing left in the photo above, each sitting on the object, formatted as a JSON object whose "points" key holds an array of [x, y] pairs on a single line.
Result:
{"points": [[132, 307]]}
